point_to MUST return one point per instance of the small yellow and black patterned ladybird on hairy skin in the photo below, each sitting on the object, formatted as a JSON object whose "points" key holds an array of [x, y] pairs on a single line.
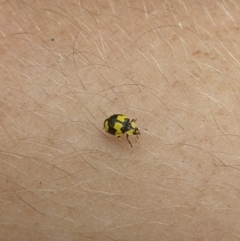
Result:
{"points": [[119, 124]]}
